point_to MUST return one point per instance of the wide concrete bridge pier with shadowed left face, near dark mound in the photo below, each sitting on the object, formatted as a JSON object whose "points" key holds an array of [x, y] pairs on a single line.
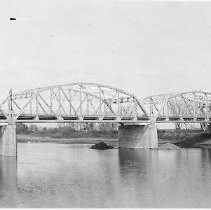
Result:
{"points": [[138, 136]]}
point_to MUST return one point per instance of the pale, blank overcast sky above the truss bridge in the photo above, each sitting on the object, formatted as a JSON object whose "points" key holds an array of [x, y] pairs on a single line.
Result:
{"points": [[142, 47]]}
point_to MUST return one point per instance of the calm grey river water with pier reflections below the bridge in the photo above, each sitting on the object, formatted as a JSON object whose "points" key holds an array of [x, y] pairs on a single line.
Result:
{"points": [[62, 175]]}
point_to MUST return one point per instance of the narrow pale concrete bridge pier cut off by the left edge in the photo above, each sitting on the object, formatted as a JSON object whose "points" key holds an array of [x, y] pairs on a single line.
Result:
{"points": [[8, 144]]}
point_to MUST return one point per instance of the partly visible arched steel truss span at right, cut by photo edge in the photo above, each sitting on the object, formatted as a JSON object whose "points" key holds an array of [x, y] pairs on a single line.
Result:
{"points": [[192, 106]]}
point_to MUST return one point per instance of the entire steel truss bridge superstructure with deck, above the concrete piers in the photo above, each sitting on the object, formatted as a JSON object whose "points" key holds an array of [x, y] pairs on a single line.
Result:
{"points": [[90, 102]]}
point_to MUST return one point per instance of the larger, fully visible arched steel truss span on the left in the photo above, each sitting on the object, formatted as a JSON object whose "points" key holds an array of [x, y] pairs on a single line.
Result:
{"points": [[73, 102]]}
